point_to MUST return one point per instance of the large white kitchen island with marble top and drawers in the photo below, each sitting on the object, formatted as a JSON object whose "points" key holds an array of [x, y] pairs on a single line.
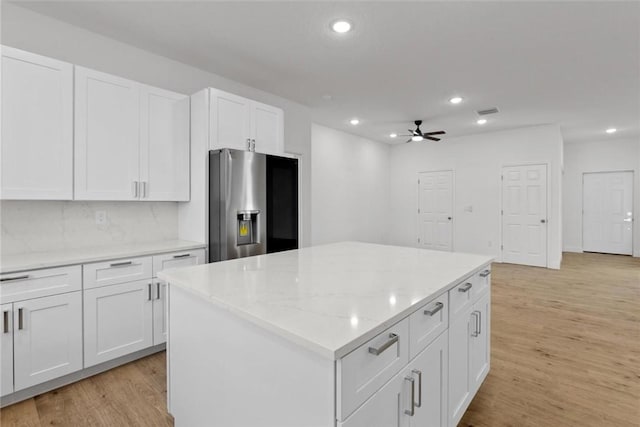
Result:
{"points": [[347, 334]]}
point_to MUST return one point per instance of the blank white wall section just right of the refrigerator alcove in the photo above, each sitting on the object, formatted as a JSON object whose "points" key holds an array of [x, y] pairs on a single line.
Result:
{"points": [[349, 187]]}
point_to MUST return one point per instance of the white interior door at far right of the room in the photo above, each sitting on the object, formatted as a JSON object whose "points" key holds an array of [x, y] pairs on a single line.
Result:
{"points": [[607, 218]]}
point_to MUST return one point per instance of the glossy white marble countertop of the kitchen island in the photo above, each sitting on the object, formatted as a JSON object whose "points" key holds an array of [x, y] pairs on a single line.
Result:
{"points": [[331, 298]]}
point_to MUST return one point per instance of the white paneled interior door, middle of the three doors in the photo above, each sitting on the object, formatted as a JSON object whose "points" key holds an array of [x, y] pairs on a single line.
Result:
{"points": [[524, 215]]}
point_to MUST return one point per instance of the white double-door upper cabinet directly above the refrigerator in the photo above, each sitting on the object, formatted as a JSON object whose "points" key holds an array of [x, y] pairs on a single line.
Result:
{"points": [[237, 122]]}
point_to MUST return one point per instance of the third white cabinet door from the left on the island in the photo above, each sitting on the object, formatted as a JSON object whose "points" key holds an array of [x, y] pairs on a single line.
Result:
{"points": [[460, 386]]}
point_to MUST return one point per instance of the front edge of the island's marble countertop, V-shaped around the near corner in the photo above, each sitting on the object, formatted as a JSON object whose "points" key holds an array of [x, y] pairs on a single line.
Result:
{"points": [[332, 354]]}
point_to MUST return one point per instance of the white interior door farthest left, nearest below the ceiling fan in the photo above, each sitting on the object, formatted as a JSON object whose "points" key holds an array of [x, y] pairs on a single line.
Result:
{"points": [[435, 210]]}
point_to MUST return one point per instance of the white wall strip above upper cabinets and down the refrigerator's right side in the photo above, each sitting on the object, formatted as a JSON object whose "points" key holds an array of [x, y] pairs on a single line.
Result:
{"points": [[24, 29]]}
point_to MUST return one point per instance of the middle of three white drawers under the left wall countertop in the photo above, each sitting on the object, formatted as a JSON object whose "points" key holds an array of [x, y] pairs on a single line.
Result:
{"points": [[117, 271]]}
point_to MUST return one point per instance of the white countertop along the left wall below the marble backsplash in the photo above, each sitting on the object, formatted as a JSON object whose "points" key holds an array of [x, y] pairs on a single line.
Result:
{"points": [[35, 260]]}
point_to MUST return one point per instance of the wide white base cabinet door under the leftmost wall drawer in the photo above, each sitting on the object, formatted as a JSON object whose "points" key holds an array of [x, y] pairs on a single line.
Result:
{"points": [[47, 338]]}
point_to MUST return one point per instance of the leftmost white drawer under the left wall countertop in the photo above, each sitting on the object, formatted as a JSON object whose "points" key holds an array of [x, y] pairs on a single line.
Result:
{"points": [[39, 283]]}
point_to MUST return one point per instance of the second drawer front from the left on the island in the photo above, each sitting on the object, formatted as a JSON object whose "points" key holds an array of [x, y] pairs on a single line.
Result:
{"points": [[426, 324]]}
